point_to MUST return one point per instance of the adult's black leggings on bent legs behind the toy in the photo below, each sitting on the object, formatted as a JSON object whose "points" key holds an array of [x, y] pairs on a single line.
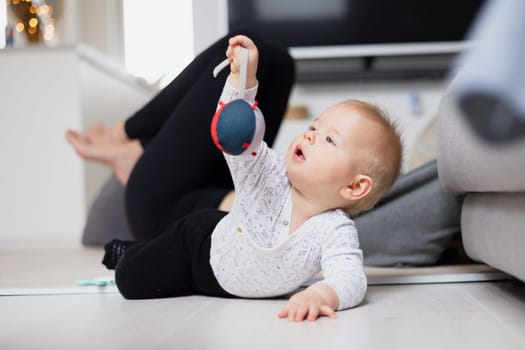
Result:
{"points": [[181, 170]]}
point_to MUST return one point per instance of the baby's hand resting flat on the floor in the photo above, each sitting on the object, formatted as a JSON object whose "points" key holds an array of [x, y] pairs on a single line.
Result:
{"points": [[308, 304]]}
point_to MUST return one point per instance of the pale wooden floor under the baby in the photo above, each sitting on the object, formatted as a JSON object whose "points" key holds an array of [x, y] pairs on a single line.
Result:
{"points": [[478, 315]]}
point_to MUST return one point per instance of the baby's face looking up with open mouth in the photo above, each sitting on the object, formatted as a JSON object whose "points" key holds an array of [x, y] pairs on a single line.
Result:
{"points": [[329, 154]]}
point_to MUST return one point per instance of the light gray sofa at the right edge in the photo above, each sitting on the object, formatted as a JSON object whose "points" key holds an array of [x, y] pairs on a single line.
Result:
{"points": [[493, 178]]}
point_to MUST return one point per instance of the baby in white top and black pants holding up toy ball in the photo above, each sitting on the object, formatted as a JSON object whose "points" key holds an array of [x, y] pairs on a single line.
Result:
{"points": [[291, 215]]}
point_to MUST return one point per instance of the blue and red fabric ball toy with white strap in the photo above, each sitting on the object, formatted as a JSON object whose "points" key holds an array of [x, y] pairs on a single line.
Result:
{"points": [[238, 126]]}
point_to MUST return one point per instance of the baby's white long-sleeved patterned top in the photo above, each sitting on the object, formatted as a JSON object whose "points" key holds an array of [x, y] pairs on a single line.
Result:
{"points": [[253, 254]]}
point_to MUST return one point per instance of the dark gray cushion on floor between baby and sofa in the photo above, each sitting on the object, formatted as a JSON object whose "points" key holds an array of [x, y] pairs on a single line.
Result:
{"points": [[412, 224]]}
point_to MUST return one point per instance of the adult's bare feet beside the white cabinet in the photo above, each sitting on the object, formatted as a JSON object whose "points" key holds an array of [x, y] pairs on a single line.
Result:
{"points": [[101, 145]]}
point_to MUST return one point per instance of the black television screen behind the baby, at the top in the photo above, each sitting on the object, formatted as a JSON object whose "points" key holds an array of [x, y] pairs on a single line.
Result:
{"points": [[357, 23]]}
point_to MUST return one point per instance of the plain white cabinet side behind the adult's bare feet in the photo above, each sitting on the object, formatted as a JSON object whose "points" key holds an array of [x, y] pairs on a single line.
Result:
{"points": [[41, 180]]}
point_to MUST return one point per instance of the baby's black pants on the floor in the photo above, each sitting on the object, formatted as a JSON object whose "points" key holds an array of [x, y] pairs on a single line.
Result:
{"points": [[176, 263]]}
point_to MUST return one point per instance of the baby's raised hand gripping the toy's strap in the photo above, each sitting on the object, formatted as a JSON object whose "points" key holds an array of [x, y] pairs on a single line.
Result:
{"points": [[234, 54]]}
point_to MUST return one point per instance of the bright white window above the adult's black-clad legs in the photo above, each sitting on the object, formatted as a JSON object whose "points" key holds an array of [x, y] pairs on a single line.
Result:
{"points": [[158, 38]]}
